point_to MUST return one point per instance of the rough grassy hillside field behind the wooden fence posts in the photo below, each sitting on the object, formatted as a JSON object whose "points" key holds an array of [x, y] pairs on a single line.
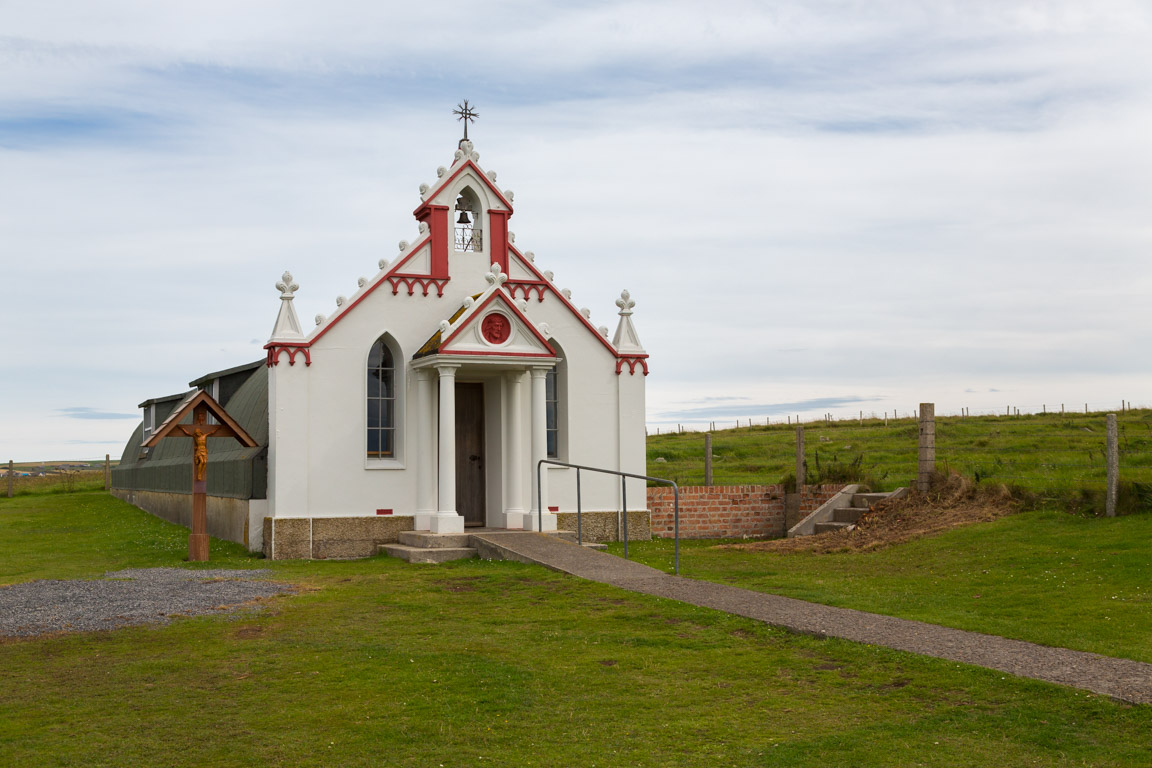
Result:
{"points": [[1049, 454]]}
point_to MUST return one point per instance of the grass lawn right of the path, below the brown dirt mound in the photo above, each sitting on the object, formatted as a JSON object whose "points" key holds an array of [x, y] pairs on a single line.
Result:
{"points": [[1042, 576]]}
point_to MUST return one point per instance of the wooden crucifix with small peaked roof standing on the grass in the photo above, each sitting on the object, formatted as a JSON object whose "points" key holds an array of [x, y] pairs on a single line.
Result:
{"points": [[201, 406]]}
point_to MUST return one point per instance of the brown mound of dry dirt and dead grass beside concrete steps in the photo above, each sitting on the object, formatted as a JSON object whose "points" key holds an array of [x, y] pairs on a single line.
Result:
{"points": [[953, 501]]}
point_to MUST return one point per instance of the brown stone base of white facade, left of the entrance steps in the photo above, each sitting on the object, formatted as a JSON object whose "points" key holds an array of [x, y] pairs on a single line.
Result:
{"points": [[324, 538]]}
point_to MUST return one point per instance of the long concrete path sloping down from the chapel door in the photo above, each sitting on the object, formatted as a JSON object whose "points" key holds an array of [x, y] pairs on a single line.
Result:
{"points": [[1120, 679]]}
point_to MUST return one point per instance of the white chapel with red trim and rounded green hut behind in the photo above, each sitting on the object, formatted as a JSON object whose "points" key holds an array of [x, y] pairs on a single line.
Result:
{"points": [[426, 401]]}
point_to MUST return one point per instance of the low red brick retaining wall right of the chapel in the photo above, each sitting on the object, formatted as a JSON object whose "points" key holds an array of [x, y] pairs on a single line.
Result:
{"points": [[731, 512]]}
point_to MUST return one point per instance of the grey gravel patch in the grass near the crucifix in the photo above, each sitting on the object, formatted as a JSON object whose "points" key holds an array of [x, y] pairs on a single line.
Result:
{"points": [[146, 596]]}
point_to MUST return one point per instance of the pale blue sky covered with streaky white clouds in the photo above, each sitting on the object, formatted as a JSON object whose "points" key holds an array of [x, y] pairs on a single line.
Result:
{"points": [[830, 207]]}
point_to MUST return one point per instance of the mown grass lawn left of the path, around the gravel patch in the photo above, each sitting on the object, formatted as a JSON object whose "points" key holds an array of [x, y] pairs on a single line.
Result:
{"points": [[380, 663]]}
